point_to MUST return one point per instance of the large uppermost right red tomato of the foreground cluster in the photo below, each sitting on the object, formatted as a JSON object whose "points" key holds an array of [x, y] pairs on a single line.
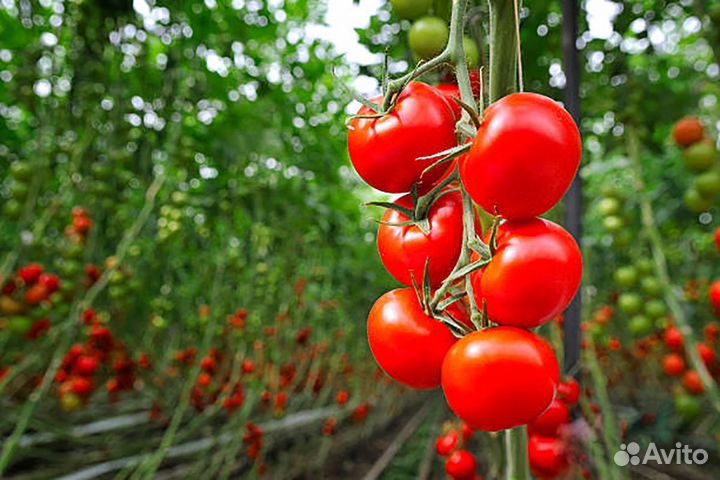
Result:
{"points": [[524, 157]]}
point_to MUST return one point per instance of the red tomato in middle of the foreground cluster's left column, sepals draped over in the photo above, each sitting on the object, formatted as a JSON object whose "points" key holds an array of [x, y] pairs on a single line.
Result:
{"points": [[404, 250]]}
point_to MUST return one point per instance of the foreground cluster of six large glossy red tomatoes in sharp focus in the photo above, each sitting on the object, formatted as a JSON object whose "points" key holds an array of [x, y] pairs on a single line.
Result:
{"points": [[520, 164]]}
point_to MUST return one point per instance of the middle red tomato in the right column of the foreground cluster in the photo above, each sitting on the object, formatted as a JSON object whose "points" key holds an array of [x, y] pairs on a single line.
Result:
{"points": [[533, 276]]}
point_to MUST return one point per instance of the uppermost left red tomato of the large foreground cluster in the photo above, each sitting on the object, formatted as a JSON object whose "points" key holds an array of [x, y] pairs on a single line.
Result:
{"points": [[384, 150]]}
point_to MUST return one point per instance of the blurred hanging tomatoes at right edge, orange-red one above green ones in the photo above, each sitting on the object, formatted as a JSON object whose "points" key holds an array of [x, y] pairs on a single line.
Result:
{"points": [[701, 156]]}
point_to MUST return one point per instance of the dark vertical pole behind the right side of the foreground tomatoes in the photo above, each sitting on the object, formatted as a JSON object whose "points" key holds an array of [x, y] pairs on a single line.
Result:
{"points": [[573, 200]]}
